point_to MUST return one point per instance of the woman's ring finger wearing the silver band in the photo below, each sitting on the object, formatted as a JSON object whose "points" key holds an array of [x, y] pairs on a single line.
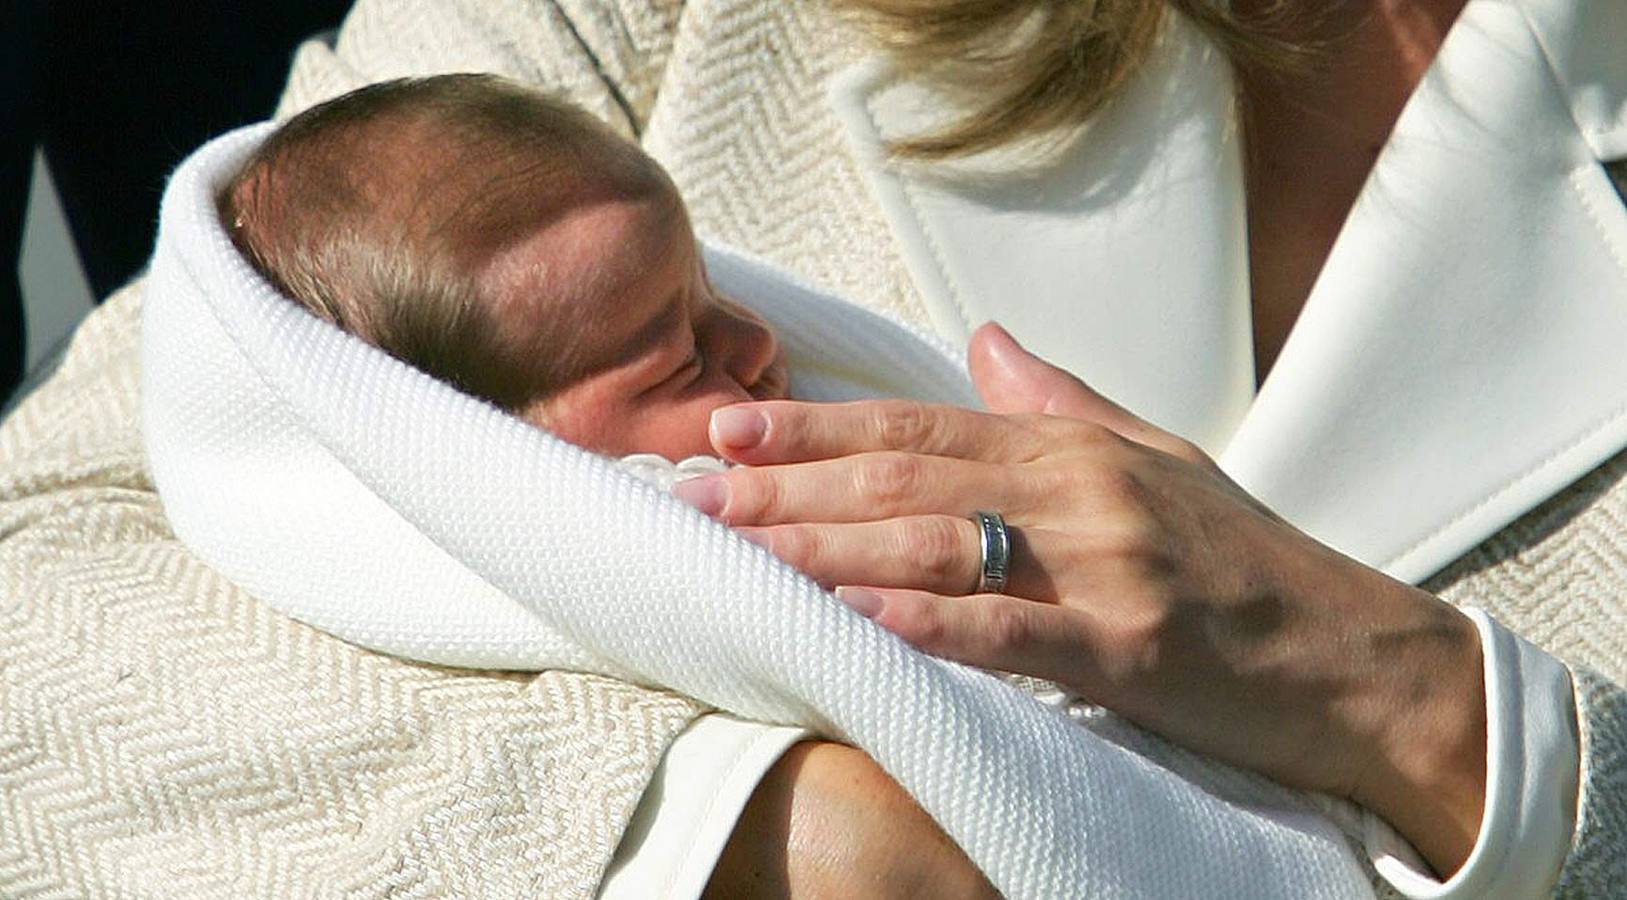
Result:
{"points": [[938, 554]]}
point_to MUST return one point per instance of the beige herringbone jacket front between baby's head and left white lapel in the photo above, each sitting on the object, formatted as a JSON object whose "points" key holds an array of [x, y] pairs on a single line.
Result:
{"points": [[744, 128]]}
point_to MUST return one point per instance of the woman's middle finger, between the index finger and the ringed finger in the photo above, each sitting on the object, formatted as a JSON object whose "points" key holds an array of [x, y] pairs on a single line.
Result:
{"points": [[865, 487]]}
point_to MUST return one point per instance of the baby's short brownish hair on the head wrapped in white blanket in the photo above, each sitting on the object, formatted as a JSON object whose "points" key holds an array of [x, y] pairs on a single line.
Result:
{"points": [[375, 212]]}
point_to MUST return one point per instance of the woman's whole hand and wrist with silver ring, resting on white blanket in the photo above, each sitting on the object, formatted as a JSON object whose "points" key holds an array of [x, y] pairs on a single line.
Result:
{"points": [[1143, 579]]}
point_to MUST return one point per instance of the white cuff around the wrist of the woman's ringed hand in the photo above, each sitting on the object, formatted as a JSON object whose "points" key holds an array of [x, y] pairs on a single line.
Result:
{"points": [[1532, 772]]}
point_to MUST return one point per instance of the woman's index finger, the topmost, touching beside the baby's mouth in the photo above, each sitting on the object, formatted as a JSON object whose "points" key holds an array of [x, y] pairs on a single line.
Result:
{"points": [[795, 432]]}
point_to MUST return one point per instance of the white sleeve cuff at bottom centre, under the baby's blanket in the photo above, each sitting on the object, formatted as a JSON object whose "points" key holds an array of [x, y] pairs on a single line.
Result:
{"points": [[691, 808]]}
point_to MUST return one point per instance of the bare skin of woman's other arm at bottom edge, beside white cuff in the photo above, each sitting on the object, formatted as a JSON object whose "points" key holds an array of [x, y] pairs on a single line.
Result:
{"points": [[826, 821]]}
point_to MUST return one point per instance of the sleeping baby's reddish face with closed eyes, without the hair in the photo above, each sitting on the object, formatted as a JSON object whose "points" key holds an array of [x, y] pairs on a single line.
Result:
{"points": [[660, 349]]}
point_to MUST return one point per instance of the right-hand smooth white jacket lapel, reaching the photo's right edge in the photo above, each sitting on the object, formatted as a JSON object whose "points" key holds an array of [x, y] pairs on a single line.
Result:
{"points": [[1465, 352]]}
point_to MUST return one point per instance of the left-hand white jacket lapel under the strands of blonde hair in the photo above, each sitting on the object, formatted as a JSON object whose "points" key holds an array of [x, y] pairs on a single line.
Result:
{"points": [[1120, 260]]}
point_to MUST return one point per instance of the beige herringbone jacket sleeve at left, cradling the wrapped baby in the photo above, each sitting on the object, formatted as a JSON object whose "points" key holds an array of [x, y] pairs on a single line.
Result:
{"points": [[164, 735]]}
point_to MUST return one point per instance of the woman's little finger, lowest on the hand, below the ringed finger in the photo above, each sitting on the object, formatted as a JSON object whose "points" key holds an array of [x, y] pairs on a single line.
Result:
{"points": [[987, 631]]}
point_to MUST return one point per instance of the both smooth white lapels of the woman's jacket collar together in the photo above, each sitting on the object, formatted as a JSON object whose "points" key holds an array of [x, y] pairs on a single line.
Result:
{"points": [[1462, 357]]}
